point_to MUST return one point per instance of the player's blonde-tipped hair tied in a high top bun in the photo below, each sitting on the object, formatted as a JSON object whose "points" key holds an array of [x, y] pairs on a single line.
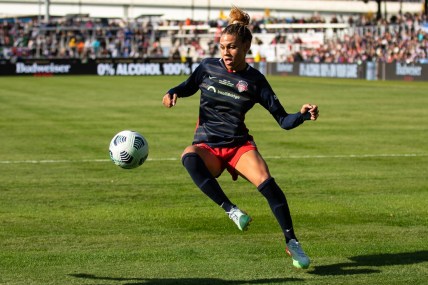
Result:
{"points": [[238, 25]]}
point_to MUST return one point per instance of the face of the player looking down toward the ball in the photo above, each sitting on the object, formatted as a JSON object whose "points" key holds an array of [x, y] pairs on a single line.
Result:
{"points": [[233, 52]]}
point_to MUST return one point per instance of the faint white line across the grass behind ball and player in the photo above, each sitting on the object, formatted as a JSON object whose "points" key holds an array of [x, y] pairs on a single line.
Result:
{"points": [[177, 158]]}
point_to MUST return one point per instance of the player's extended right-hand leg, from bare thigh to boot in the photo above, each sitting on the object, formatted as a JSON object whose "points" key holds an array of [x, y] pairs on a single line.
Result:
{"points": [[252, 166]]}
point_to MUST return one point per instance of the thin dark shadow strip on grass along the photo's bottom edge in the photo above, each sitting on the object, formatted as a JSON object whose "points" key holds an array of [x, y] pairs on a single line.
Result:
{"points": [[185, 281]]}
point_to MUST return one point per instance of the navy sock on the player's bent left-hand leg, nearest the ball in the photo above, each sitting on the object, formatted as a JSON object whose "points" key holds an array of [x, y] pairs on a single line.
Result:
{"points": [[202, 177]]}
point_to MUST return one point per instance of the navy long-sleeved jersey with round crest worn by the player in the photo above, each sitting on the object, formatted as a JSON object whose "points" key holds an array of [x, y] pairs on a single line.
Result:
{"points": [[225, 99]]}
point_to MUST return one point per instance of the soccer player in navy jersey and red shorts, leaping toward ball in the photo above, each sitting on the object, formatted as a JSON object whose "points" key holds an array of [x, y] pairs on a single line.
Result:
{"points": [[229, 88]]}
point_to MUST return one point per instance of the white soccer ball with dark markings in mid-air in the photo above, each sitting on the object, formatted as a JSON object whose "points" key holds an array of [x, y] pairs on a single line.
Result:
{"points": [[128, 149]]}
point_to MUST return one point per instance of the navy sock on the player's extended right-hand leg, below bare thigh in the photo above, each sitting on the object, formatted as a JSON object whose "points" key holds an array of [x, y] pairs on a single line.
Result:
{"points": [[279, 206]]}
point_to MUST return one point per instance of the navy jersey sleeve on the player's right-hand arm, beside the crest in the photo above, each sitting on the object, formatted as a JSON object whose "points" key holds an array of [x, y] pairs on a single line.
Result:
{"points": [[270, 102]]}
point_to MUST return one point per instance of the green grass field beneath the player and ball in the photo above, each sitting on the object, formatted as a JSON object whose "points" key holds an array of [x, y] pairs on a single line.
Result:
{"points": [[356, 181]]}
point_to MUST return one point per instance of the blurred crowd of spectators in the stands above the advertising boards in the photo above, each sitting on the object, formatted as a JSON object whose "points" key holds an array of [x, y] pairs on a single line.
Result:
{"points": [[399, 38]]}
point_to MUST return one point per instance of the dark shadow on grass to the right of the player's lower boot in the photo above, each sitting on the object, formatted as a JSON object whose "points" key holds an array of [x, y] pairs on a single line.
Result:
{"points": [[360, 264]]}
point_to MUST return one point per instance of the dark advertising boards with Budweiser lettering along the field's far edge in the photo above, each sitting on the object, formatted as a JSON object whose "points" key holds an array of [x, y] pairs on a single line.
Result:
{"points": [[163, 66]]}
